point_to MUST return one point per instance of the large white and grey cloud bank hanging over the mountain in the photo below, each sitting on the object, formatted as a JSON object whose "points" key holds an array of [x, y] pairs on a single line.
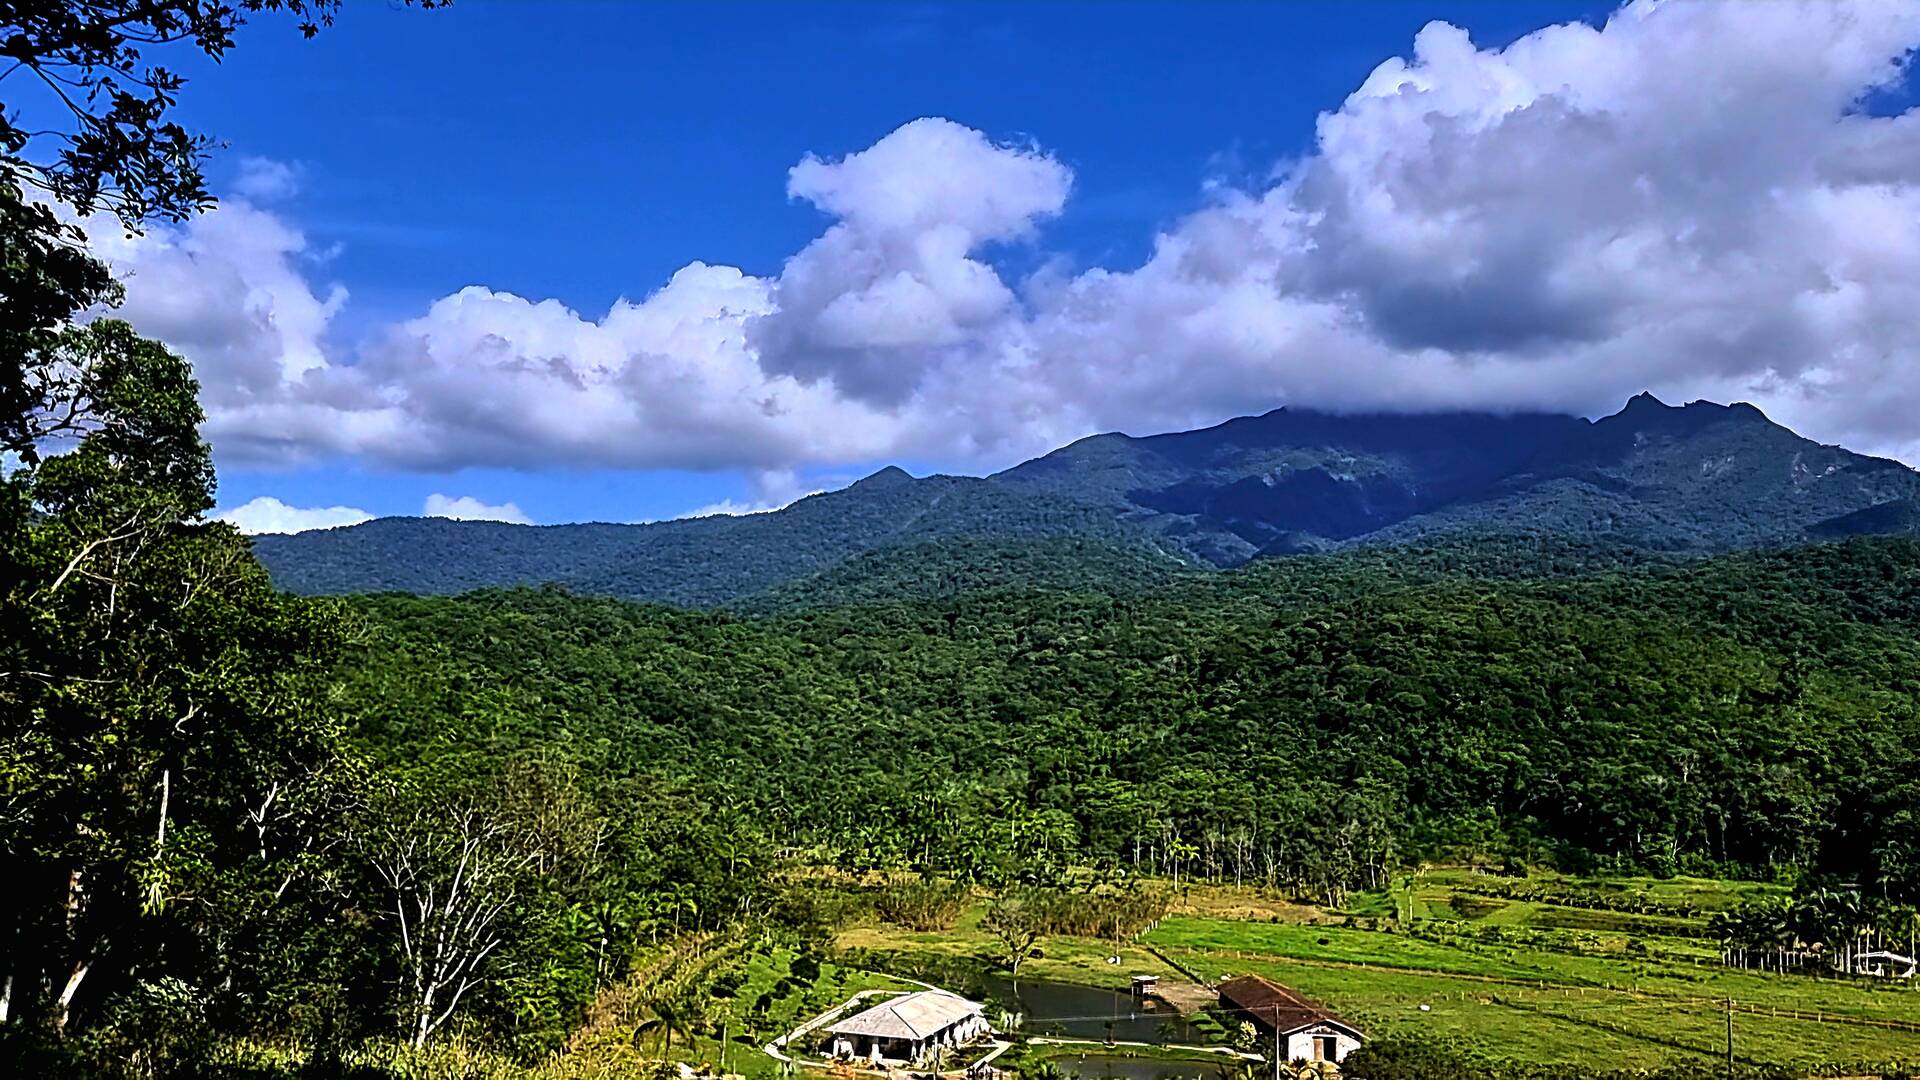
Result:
{"points": [[1692, 199]]}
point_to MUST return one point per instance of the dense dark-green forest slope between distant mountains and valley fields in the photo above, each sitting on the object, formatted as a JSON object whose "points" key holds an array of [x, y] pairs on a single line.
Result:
{"points": [[1748, 712]]}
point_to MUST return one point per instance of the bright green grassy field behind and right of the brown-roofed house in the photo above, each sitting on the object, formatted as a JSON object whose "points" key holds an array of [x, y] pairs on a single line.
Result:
{"points": [[1612, 975]]}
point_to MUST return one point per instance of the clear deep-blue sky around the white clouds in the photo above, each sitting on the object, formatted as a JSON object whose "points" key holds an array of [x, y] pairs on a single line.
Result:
{"points": [[588, 151]]}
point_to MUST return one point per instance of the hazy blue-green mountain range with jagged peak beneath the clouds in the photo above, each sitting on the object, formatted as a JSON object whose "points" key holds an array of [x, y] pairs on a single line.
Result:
{"points": [[1692, 479]]}
